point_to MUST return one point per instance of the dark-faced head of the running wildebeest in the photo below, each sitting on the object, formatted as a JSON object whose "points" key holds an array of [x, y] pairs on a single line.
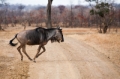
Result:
{"points": [[58, 36]]}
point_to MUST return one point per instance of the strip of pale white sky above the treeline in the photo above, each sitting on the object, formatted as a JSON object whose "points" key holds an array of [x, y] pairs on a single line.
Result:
{"points": [[55, 2]]}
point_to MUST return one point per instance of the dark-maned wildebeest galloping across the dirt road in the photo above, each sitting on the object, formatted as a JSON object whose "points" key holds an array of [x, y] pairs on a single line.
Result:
{"points": [[39, 36]]}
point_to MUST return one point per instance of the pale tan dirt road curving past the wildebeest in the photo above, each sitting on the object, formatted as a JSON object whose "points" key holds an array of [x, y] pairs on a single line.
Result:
{"points": [[72, 59]]}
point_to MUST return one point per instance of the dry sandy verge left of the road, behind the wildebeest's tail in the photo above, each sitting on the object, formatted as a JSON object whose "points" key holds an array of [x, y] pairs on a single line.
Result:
{"points": [[10, 65]]}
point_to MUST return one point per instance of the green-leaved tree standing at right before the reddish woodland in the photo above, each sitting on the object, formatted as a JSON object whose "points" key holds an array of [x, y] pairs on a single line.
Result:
{"points": [[104, 11]]}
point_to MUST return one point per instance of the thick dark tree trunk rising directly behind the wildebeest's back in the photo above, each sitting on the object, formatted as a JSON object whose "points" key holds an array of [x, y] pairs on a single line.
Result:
{"points": [[49, 23]]}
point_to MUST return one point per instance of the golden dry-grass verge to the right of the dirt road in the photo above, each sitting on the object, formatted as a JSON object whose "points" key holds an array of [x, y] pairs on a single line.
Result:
{"points": [[108, 44]]}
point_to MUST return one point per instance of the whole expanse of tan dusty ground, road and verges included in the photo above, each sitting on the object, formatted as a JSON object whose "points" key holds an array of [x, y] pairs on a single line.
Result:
{"points": [[85, 54]]}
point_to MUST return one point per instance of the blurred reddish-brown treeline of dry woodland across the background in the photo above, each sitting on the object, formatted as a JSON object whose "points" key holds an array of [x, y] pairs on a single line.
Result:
{"points": [[65, 16]]}
